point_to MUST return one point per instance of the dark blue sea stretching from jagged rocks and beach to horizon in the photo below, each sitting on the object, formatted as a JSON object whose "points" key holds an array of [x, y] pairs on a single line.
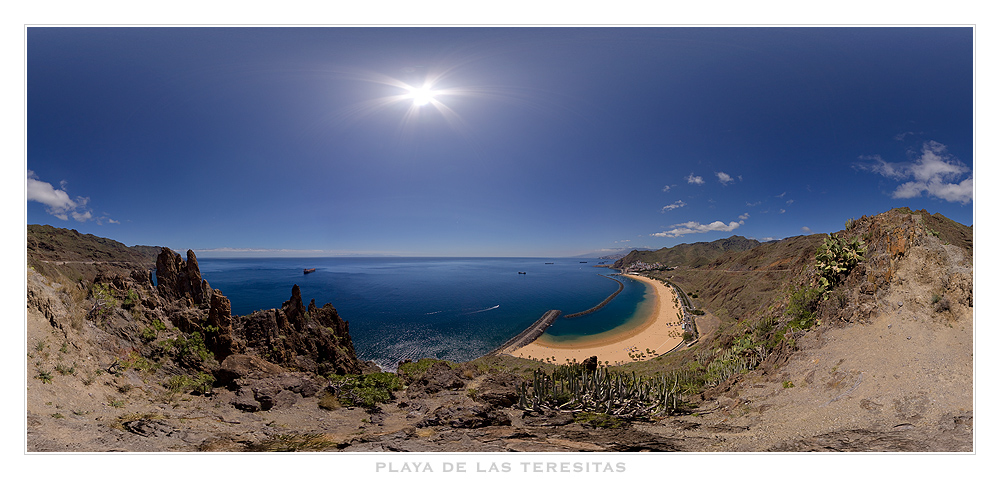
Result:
{"points": [[447, 308]]}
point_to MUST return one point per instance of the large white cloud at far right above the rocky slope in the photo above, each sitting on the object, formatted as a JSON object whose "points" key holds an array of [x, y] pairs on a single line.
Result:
{"points": [[936, 173]]}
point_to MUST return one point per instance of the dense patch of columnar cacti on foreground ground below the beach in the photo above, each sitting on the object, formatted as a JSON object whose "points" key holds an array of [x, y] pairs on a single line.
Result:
{"points": [[618, 394]]}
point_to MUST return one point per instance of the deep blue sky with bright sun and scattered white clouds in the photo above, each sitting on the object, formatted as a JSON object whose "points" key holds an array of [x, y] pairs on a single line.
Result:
{"points": [[528, 142]]}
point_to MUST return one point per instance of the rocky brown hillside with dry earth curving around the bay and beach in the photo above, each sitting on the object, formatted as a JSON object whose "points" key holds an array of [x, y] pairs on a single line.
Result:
{"points": [[876, 356]]}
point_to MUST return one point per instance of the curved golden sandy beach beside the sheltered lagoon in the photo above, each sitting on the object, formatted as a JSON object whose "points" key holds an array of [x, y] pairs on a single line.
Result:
{"points": [[660, 331]]}
